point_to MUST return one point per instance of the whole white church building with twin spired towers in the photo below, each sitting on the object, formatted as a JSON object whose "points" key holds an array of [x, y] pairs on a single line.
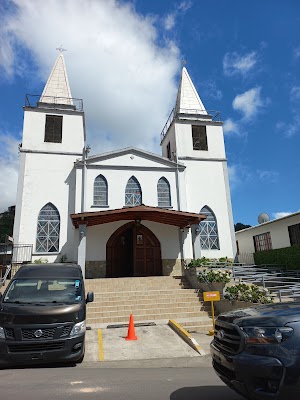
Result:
{"points": [[127, 212]]}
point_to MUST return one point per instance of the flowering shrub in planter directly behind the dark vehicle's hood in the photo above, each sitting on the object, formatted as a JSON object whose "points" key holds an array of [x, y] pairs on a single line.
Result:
{"points": [[250, 293]]}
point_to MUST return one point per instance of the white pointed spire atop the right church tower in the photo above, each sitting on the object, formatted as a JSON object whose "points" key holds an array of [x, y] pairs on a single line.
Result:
{"points": [[188, 100]]}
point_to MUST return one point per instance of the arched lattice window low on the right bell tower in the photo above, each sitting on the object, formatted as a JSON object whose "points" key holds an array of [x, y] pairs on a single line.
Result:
{"points": [[209, 238]]}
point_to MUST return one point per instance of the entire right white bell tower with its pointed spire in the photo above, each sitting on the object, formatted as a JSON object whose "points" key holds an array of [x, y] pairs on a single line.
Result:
{"points": [[194, 137]]}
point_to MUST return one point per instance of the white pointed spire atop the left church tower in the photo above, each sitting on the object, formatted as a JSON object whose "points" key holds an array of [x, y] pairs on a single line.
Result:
{"points": [[57, 88]]}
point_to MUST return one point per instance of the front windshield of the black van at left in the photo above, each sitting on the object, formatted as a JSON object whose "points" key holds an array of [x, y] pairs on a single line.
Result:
{"points": [[44, 291]]}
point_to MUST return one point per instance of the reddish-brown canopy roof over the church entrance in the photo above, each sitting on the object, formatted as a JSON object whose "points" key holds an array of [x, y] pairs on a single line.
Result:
{"points": [[138, 213]]}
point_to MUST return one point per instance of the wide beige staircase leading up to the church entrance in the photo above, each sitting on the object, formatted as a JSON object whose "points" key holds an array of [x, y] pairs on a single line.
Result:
{"points": [[149, 299]]}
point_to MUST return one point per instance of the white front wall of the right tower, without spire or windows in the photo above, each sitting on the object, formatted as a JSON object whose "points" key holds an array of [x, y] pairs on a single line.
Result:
{"points": [[206, 183]]}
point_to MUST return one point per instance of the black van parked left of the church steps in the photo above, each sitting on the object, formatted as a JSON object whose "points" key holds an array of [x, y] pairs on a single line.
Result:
{"points": [[42, 315]]}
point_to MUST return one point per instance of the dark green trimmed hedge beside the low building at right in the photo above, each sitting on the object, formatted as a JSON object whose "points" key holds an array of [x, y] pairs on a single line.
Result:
{"points": [[287, 256]]}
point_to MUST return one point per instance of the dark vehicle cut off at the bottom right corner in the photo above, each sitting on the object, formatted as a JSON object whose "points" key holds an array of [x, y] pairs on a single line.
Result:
{"points": [[256, 351]]}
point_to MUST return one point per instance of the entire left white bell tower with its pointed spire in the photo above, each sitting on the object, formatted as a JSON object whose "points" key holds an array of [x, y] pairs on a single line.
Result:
{"points": [[53, 139]]}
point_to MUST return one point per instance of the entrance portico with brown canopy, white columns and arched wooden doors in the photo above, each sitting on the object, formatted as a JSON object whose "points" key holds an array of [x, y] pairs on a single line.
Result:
{"points": [[133, 249]]}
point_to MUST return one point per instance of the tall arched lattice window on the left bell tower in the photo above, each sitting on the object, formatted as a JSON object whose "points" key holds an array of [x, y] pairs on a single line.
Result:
{"points": [[48, 226]]}
